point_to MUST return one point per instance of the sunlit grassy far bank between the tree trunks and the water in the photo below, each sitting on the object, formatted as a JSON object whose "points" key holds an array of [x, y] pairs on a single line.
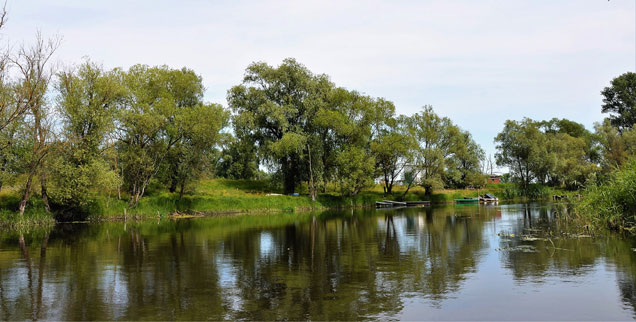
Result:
{"points": [[222, 196]]}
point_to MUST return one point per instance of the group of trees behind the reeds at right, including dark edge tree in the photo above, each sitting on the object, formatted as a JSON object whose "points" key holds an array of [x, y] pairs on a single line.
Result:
{"points": [[563, 153]]}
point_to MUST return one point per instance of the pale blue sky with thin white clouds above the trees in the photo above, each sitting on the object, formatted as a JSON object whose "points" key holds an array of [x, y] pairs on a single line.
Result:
{"points": [[477, 62]]}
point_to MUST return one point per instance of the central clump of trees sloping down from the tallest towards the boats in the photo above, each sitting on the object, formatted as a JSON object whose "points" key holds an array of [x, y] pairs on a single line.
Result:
{"points": [[304, 128]]}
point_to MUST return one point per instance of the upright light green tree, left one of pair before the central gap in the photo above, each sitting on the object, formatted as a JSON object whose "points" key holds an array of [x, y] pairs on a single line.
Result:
{"points": [[149, 123]]}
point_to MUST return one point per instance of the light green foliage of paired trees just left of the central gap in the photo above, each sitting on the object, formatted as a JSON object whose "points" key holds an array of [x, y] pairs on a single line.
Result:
{"points": [[163, 125]]}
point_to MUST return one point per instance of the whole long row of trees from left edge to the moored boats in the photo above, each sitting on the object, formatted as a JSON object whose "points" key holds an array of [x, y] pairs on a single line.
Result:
{"points": [[70, 135]]}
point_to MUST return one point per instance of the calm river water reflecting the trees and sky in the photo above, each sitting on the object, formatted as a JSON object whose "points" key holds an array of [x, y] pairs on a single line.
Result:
{"points": [[511, 262]]}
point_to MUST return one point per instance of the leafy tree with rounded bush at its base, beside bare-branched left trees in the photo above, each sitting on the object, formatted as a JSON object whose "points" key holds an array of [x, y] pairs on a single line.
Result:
{"points": [[87, 104]]}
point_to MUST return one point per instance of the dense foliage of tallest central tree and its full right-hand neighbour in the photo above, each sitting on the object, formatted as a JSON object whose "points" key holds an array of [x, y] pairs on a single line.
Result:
{"points": [[306, 129]]}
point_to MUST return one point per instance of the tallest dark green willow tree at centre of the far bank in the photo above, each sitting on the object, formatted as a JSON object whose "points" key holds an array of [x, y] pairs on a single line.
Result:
{"points": [[275, 108]]}
